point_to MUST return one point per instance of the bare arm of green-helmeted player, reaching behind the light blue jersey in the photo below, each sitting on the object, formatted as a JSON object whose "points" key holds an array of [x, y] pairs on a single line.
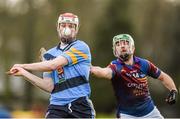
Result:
{"points": [[101, 72]]}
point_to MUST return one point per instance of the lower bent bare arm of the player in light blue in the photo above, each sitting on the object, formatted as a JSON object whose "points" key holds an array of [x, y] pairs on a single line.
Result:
{"points": [[44, 84]]}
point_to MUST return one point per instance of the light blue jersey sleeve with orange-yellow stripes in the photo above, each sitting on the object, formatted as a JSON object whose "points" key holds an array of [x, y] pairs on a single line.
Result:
{"points": [[79, 52]]}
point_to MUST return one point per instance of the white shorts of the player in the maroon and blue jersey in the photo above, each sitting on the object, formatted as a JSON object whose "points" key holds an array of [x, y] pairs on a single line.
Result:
{"points": [[153, 114]]}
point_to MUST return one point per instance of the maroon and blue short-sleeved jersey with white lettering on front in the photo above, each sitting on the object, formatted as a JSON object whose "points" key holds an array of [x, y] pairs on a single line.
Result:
{"points": [[131, 87]]}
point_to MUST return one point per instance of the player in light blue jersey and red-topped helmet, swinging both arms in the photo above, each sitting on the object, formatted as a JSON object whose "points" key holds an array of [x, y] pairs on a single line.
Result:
{"points": [[66, 73]]}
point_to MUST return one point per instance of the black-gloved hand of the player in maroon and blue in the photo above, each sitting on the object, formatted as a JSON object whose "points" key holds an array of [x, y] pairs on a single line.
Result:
{"points": [[171, 98]]}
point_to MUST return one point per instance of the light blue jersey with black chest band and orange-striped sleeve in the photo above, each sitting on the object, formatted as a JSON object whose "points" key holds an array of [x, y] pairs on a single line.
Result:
{"points": [[72, 80]]}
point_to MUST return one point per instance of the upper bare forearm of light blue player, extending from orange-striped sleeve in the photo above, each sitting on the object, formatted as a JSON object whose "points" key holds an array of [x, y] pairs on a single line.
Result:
{"points": [[43, 66]]}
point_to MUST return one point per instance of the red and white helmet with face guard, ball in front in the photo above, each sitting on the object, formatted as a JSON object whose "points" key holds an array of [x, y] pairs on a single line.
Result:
{"points": [[67, 34]]}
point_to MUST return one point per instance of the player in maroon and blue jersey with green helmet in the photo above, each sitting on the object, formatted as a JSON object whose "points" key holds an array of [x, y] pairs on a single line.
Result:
{"points": [[128, 75]]}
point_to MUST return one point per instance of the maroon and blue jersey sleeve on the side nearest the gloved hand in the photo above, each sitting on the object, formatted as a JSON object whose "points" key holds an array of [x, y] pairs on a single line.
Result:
{"points": [[153, 70]]}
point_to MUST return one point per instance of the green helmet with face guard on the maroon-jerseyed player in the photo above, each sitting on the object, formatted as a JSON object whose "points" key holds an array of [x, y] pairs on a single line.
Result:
{"points": [[130, 49]]}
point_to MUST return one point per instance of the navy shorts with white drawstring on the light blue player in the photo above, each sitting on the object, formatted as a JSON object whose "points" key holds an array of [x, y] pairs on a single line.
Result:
{"points": [[80, 108]]}
